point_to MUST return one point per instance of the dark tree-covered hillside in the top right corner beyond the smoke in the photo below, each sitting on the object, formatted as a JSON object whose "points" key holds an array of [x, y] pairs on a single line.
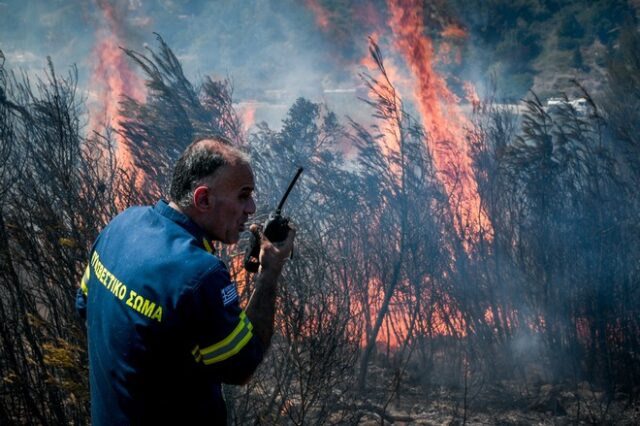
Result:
{"points": [[541, 44]]}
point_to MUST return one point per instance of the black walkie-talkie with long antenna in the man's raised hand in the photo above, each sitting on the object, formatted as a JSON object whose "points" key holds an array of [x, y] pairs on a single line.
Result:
{"points": [[276, 228]]}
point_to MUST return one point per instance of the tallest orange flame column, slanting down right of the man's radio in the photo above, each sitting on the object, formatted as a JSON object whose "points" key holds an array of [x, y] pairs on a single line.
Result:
{"points": [[441, 115]]}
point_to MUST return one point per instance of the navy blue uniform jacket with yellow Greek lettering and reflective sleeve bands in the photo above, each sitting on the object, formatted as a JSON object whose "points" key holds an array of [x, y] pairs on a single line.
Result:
{"points": [[163, 320]]}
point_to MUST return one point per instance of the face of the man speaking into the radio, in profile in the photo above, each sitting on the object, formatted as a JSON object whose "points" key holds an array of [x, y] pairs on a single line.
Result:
{"points": [[230, 203]]}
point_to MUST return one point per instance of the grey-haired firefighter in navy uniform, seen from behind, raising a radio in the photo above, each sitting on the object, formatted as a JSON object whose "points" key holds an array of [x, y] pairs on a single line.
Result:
{"points": [[165, 328]]}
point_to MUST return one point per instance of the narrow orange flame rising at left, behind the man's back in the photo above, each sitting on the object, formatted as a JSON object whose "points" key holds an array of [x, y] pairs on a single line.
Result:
{"points": [[112, 78]]}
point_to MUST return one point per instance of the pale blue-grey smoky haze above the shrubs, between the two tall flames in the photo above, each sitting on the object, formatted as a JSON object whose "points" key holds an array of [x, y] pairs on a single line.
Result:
{"points": [[273, 50]]}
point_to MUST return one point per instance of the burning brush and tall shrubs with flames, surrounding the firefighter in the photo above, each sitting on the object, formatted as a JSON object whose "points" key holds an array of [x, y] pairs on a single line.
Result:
{"points": [[477, 268]]}
